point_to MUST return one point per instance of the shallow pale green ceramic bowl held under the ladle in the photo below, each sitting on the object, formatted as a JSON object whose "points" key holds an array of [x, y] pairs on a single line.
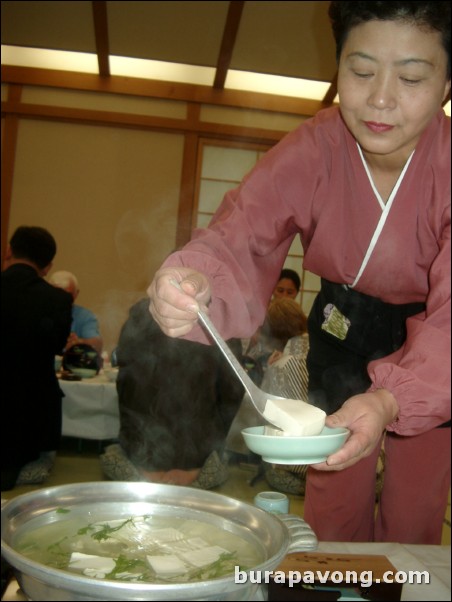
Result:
{"points": [[278, 449]]}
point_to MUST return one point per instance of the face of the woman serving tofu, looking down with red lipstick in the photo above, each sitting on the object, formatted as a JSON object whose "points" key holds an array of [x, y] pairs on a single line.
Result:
{"points": [[392, 81]]}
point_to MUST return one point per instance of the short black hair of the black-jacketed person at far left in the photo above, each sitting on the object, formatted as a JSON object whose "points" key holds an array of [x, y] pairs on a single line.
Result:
{"points": [[33, 243]]}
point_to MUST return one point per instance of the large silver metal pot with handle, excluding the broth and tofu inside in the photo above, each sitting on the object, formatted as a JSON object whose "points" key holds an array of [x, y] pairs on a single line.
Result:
{"points": [[274, 536]]}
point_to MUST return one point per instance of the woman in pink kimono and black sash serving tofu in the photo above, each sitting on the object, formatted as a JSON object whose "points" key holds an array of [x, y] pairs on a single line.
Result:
{"points": [[366, 185]]}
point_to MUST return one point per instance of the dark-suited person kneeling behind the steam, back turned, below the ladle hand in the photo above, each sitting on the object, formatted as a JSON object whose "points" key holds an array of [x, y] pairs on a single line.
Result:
{"points": [[177, 400]]}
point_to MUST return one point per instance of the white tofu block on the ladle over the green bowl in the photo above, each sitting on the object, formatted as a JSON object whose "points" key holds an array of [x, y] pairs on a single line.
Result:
{"points": [[295, 417]]}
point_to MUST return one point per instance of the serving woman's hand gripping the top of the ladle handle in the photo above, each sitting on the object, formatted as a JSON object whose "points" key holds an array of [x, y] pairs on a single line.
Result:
{"points": [[176, 295]]}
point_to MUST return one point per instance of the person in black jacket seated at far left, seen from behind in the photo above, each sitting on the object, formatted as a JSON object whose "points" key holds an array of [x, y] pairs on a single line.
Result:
{"points": [[35, 323]]}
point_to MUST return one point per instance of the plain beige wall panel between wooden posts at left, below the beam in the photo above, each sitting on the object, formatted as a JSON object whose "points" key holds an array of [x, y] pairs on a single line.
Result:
{"points": [[110, 198]]}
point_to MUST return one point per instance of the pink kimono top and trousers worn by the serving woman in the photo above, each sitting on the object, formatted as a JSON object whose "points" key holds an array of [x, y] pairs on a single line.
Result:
{"points": [[314, 183]]}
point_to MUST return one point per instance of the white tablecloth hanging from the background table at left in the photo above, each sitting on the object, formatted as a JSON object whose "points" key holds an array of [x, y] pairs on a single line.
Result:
{"points": [[90, 408]]}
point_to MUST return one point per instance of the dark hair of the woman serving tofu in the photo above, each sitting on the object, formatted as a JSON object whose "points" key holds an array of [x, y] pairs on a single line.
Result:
{"points": [[432, 15]]}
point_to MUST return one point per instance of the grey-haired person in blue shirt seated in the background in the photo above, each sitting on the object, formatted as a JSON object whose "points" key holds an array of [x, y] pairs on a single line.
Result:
{"points": [[85, 326]]}
